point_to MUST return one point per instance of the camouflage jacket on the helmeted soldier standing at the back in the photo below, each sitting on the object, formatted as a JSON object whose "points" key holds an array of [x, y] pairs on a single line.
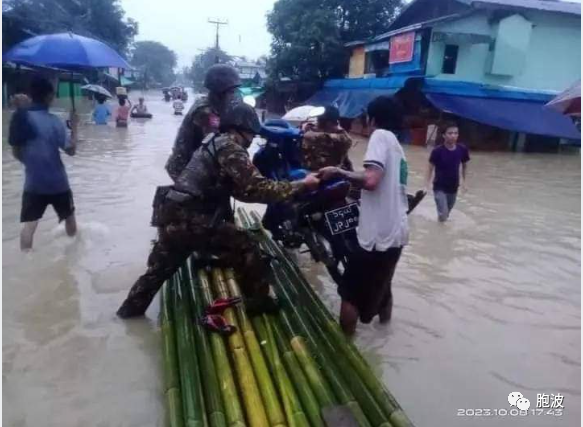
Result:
{"points": [[200, 120]]}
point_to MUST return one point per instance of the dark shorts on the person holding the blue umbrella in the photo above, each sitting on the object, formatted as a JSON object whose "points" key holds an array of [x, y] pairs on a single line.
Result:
{"points": [[34, 205]]}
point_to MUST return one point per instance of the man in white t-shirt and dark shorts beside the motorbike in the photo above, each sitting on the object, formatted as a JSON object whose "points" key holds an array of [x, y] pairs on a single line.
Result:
{"points": [[383, 228]]}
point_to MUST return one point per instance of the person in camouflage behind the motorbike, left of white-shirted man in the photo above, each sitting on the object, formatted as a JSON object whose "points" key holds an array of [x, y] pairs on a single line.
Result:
{"points": [[327, 144]]}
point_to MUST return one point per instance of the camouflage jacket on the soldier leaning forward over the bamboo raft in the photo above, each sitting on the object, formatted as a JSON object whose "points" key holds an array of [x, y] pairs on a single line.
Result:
{"points": [[221, 169]]}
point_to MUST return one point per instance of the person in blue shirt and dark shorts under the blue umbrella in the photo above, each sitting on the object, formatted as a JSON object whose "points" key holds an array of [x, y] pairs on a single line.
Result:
{"points": [[36, 137]]}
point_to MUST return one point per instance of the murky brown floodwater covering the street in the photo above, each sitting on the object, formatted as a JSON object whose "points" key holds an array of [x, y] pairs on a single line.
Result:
{"points": [[485, 305]]}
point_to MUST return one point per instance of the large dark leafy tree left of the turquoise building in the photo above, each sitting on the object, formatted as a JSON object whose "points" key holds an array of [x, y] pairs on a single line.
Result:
{"points": [[309, 35]]}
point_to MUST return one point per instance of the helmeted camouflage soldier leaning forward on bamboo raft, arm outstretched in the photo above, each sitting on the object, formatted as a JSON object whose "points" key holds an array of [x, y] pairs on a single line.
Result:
{"points": [[196, 215]]}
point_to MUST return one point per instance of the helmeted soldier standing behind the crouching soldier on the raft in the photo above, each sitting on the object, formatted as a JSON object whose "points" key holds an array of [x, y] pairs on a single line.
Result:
{"points": [[203, 117]]}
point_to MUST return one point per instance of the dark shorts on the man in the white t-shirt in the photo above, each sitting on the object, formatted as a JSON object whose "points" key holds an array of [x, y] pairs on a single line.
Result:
{"points": [[367, 281]]}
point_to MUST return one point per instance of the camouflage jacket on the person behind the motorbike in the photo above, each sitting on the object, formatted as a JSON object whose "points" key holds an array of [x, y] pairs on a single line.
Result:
{"points": [[321, 149]]}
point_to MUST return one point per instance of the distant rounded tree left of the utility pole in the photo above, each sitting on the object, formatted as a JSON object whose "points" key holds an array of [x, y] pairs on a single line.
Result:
{"points": [[156, 61]]}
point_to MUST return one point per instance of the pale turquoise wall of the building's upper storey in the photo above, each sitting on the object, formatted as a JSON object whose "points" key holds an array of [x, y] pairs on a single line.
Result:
{"points": [[551, 58]]}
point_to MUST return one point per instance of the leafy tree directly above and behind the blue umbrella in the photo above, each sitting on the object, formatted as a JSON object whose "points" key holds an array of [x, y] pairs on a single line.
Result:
{"points": [[100, 19]]}
